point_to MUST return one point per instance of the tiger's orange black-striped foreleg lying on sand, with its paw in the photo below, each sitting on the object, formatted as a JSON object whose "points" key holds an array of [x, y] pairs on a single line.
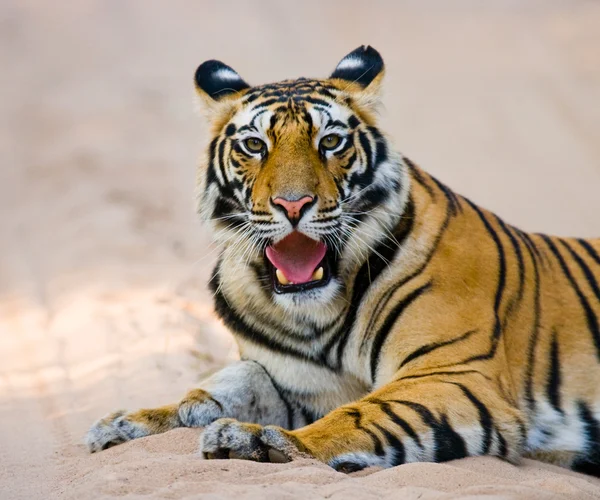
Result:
{"points": [[432, 418]]}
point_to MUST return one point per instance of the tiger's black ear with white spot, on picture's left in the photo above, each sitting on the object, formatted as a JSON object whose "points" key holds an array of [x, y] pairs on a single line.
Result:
{"points": [[217, 83]]}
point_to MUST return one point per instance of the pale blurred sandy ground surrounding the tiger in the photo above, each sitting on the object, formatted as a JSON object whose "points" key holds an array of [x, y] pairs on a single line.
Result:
{"points": [[103, 264]]}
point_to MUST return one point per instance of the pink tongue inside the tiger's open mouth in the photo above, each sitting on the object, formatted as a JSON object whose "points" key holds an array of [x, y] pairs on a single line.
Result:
{"points": [[297, 256]]}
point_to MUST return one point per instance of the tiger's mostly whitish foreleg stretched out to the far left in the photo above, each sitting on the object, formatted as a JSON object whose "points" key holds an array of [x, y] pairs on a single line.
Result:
{"points": [[243, 390]]}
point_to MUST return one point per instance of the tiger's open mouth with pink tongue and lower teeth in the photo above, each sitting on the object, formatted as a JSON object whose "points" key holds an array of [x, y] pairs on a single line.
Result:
{"points": [[298, 263]]}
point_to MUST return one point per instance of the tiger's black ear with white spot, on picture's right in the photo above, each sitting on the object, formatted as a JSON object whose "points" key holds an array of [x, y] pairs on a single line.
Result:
{"points": [[363, 70]]}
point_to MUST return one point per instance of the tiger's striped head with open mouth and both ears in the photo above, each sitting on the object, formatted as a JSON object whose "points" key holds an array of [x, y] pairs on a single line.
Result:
{"points": [[298, 181]]}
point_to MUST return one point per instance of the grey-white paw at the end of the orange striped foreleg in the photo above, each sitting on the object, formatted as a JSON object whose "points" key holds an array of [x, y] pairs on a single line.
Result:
{"points": [[228, 438]]}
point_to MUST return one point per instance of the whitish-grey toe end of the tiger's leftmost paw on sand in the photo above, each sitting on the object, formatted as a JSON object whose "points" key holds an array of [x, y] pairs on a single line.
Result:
{"points": [[115, 428]]}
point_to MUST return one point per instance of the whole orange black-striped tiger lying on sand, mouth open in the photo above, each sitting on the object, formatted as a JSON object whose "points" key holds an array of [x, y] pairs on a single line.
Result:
{"points": [[381, 318]]}
